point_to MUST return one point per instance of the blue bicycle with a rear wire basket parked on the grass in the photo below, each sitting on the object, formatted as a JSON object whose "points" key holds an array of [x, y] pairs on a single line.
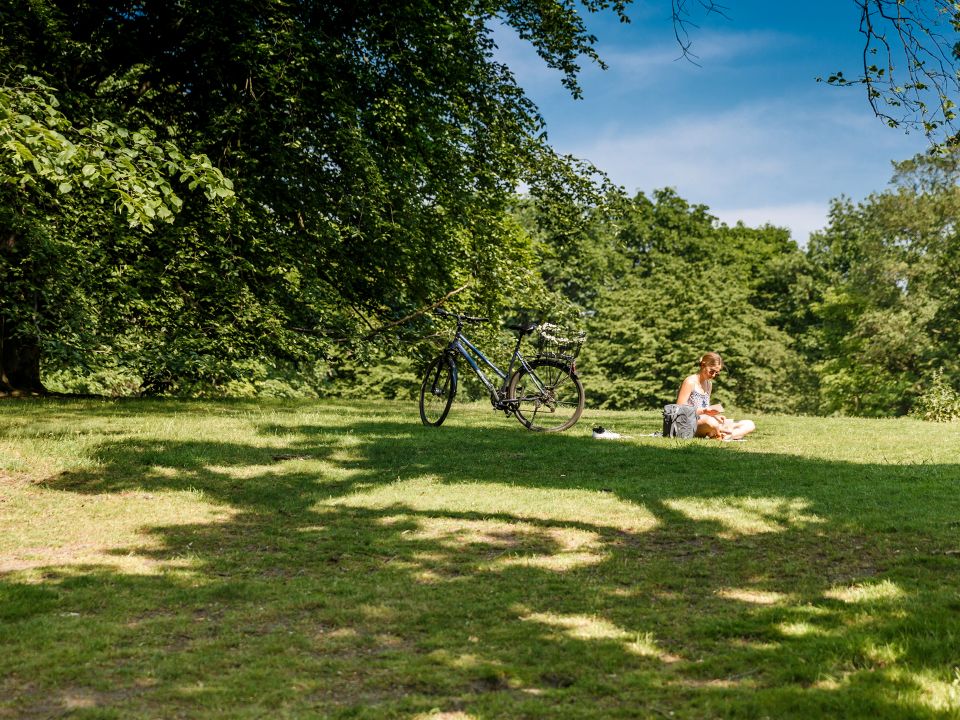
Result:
{"points": [[545, 394]]}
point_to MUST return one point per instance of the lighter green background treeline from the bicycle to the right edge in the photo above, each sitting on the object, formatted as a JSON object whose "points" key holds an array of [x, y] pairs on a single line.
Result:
{"points": [[862, 320]]}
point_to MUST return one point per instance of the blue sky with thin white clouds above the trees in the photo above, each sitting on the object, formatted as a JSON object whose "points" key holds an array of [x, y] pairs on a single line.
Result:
{"points": [[749, 132]]}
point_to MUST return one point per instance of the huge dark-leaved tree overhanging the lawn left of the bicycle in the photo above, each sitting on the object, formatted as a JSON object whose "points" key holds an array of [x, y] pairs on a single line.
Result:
{"points": [[372, 145]]}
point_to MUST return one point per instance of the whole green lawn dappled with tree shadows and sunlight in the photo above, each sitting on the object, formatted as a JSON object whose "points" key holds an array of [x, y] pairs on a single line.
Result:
{"points": [[163, 559]]}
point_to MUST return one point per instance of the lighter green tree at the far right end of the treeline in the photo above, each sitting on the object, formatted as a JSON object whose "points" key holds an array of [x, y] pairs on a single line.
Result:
{"points": [[887, 317]]}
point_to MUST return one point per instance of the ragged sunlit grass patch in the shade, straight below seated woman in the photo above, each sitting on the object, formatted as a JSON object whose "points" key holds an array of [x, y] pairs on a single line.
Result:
{"points": [[747, 516]]}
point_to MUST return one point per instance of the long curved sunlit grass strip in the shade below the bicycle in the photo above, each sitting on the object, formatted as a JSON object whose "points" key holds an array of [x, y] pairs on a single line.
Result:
{"points": [[432, 495]]}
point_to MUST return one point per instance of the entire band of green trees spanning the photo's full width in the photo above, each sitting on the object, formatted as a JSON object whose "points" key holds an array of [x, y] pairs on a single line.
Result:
{"points": [[267, 198]]}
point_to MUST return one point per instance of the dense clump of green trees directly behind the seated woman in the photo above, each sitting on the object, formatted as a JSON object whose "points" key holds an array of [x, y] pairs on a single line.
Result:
{"points": [[692, 286]]}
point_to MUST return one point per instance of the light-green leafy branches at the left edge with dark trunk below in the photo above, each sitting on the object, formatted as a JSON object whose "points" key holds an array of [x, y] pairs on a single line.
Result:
{"points": [[52, 172]]}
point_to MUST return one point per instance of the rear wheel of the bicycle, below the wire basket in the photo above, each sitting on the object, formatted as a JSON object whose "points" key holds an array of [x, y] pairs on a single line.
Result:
{"points": [[548, 396]]}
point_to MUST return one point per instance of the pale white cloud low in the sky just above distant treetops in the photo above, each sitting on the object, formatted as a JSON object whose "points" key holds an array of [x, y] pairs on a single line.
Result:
{"points": [[770, 162]]}
